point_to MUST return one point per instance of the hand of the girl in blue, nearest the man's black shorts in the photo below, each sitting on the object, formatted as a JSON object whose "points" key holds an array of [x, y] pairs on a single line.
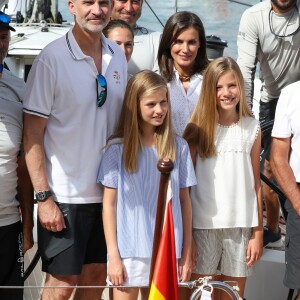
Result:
{"points": [[116, 271]]}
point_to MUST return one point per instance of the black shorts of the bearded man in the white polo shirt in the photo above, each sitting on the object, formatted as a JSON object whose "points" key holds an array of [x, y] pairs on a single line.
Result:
{"points": [[82, 242]]}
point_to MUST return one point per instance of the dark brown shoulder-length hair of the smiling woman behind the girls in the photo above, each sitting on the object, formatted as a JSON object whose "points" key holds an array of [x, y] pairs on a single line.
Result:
{"points": [[175, 25]]}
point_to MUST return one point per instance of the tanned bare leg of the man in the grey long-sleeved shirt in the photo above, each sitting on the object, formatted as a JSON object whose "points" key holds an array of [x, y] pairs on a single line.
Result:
{"points": [[272, 203]]}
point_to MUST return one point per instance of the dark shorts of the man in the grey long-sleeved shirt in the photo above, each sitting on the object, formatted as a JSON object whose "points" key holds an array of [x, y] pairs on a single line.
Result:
{"points": [[267, 114]]}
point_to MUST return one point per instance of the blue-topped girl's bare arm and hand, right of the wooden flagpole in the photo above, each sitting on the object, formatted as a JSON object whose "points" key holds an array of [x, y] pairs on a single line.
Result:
{"points": [[185, 263]]}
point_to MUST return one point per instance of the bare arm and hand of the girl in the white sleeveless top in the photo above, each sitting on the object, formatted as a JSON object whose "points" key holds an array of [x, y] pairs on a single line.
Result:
{"points": [[255, 245]]}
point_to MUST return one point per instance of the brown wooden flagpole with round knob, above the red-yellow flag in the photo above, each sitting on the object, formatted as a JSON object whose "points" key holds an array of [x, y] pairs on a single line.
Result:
{"points": [[165, 166]]}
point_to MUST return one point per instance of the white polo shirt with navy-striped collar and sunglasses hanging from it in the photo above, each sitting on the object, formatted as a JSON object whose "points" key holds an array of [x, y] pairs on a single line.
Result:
{"points": [[62, 86]]}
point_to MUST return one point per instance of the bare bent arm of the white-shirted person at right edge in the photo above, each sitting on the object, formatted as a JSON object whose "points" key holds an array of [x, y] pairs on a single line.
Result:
{"points": [[283, 172]]}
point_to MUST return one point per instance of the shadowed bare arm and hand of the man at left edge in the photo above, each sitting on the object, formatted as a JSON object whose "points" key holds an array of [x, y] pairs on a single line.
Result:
{"points": [[25, 193]]}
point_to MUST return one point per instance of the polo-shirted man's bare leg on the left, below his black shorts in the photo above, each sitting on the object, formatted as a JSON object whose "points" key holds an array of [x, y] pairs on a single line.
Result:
{"points": [[59, 293]]}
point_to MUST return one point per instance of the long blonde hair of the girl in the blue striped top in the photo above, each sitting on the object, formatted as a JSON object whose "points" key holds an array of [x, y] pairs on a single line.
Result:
{"points": [[141, 85]]}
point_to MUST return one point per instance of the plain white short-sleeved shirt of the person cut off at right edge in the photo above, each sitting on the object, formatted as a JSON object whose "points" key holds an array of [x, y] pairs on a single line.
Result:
{"points": [[287, 123]]}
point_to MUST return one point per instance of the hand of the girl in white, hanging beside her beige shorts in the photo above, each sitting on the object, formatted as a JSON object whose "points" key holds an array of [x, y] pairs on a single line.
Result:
{"points": [[255, 247]]}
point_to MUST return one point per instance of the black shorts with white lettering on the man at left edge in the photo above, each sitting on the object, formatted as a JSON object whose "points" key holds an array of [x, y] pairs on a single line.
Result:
{"points": [[11, 261]]}
